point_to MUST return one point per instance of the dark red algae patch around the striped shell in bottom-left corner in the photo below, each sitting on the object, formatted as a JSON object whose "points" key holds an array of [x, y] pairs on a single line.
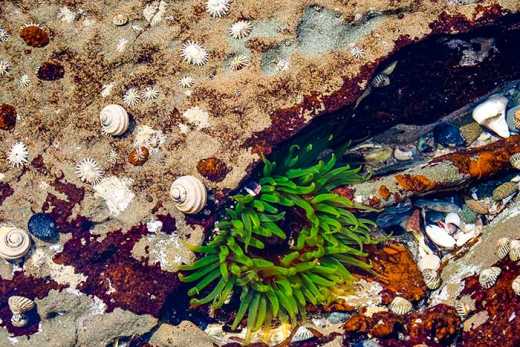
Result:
{"points": [[30, 287]]}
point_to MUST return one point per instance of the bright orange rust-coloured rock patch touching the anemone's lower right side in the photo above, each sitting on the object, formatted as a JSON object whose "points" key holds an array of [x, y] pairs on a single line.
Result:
{"points": [[396, 270]]}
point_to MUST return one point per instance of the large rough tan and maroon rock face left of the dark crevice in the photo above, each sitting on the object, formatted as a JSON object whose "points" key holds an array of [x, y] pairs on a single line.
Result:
{"points": [[304, 61]]}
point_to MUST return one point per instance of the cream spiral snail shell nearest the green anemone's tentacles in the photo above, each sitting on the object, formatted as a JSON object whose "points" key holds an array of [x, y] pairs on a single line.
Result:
{"points": [[189, 194]]}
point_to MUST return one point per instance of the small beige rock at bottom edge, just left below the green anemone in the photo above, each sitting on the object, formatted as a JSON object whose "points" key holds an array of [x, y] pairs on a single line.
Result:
{"points": [[183, 335]]}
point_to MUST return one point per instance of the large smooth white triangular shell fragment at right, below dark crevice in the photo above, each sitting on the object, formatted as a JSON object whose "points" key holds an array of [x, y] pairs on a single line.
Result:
{"points": [[492, 115]]}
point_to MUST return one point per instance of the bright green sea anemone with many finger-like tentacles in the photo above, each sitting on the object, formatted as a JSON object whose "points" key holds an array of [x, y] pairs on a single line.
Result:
{"points": [[310, 264]]}
